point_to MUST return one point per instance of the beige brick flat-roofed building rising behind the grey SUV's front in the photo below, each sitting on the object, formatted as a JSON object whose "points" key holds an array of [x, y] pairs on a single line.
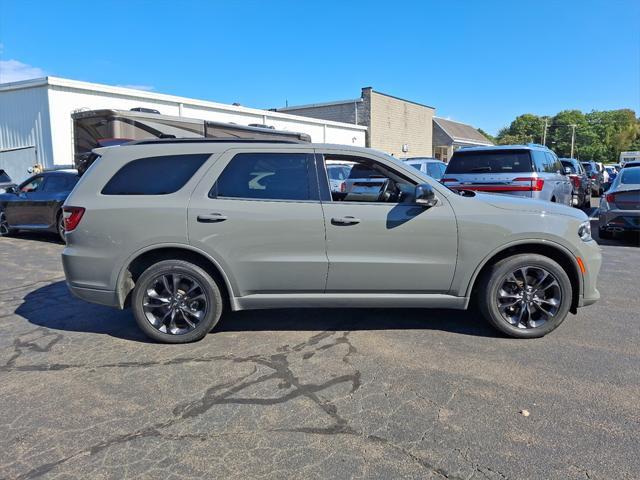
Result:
{"points": [[400, 127]]}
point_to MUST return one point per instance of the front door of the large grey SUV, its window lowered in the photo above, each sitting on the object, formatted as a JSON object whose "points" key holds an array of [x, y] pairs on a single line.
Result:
{"points": [[385, 242]]}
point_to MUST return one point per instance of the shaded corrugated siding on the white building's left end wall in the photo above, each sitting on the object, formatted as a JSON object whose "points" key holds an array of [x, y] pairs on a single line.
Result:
{"points": [[24, 122]]}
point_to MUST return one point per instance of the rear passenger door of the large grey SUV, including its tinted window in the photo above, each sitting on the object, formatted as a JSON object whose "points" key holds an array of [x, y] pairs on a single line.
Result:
{"points": [[258, 214]]}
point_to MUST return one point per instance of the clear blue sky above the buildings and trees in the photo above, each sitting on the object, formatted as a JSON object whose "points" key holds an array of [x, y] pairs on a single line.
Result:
{"points": [[481, 62]]}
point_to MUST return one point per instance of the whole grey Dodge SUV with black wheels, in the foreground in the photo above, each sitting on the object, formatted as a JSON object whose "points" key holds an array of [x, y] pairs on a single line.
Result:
{"points": [[180, 230]]}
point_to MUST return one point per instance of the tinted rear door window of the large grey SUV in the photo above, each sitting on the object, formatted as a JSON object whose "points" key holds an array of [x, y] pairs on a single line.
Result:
{"points": [[267, 176]]}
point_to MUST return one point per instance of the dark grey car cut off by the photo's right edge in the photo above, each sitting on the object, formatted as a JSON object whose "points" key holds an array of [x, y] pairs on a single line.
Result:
{"points": [[620, 207]]}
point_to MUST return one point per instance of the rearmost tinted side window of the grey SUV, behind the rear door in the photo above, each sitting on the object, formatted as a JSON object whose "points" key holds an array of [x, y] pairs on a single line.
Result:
{"points": [[154, 175]]}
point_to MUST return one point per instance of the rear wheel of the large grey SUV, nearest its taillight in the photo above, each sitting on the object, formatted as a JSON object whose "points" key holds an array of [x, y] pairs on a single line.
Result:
{"points": [[164, 287]]}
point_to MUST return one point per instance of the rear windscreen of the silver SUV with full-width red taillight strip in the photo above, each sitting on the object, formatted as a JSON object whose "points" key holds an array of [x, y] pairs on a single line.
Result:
{"points": [[496, 161]]}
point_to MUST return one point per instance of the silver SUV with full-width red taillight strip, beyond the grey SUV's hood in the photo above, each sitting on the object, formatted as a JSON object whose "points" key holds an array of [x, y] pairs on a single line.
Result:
{"points": [[531, 171]]}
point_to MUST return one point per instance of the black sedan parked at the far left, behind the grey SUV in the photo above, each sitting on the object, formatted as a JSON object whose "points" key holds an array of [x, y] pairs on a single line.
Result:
{"points": [[36, 204]]}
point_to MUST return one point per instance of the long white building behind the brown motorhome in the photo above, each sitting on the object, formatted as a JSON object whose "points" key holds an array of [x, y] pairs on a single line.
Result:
{"points": [[36, 125]]}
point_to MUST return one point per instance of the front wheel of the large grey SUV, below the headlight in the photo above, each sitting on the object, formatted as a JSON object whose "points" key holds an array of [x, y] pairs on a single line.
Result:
{"points": [[534, 322]]}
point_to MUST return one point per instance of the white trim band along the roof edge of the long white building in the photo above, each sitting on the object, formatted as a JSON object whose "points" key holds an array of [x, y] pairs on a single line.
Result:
{"points": [[173, 99]]}
